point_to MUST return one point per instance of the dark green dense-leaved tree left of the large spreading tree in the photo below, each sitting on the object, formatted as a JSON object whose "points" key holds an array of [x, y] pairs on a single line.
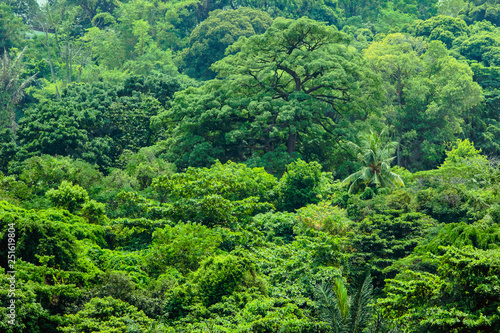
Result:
{"points": [[97, 122]]}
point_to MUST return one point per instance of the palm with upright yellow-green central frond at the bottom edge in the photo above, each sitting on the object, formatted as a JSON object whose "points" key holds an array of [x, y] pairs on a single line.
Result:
{"points": [[345, 314]]}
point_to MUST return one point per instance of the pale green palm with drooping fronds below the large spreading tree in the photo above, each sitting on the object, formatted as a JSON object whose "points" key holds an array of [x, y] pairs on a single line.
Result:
{"points": [[376, 158]]}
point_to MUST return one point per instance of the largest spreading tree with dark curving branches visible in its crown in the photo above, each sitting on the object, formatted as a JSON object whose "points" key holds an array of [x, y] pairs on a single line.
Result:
{"points": [[298, 78]]}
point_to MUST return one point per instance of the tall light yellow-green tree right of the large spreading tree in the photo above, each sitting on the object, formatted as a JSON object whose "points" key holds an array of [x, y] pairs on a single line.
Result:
{"points": [[423, 86]]}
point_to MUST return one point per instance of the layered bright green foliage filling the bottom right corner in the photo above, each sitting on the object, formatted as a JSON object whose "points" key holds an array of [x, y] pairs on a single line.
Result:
{"points": [[460, 297]]}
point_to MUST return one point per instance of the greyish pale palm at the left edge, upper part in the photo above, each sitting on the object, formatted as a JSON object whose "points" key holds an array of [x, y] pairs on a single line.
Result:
{"points": [[11, 87]]}
